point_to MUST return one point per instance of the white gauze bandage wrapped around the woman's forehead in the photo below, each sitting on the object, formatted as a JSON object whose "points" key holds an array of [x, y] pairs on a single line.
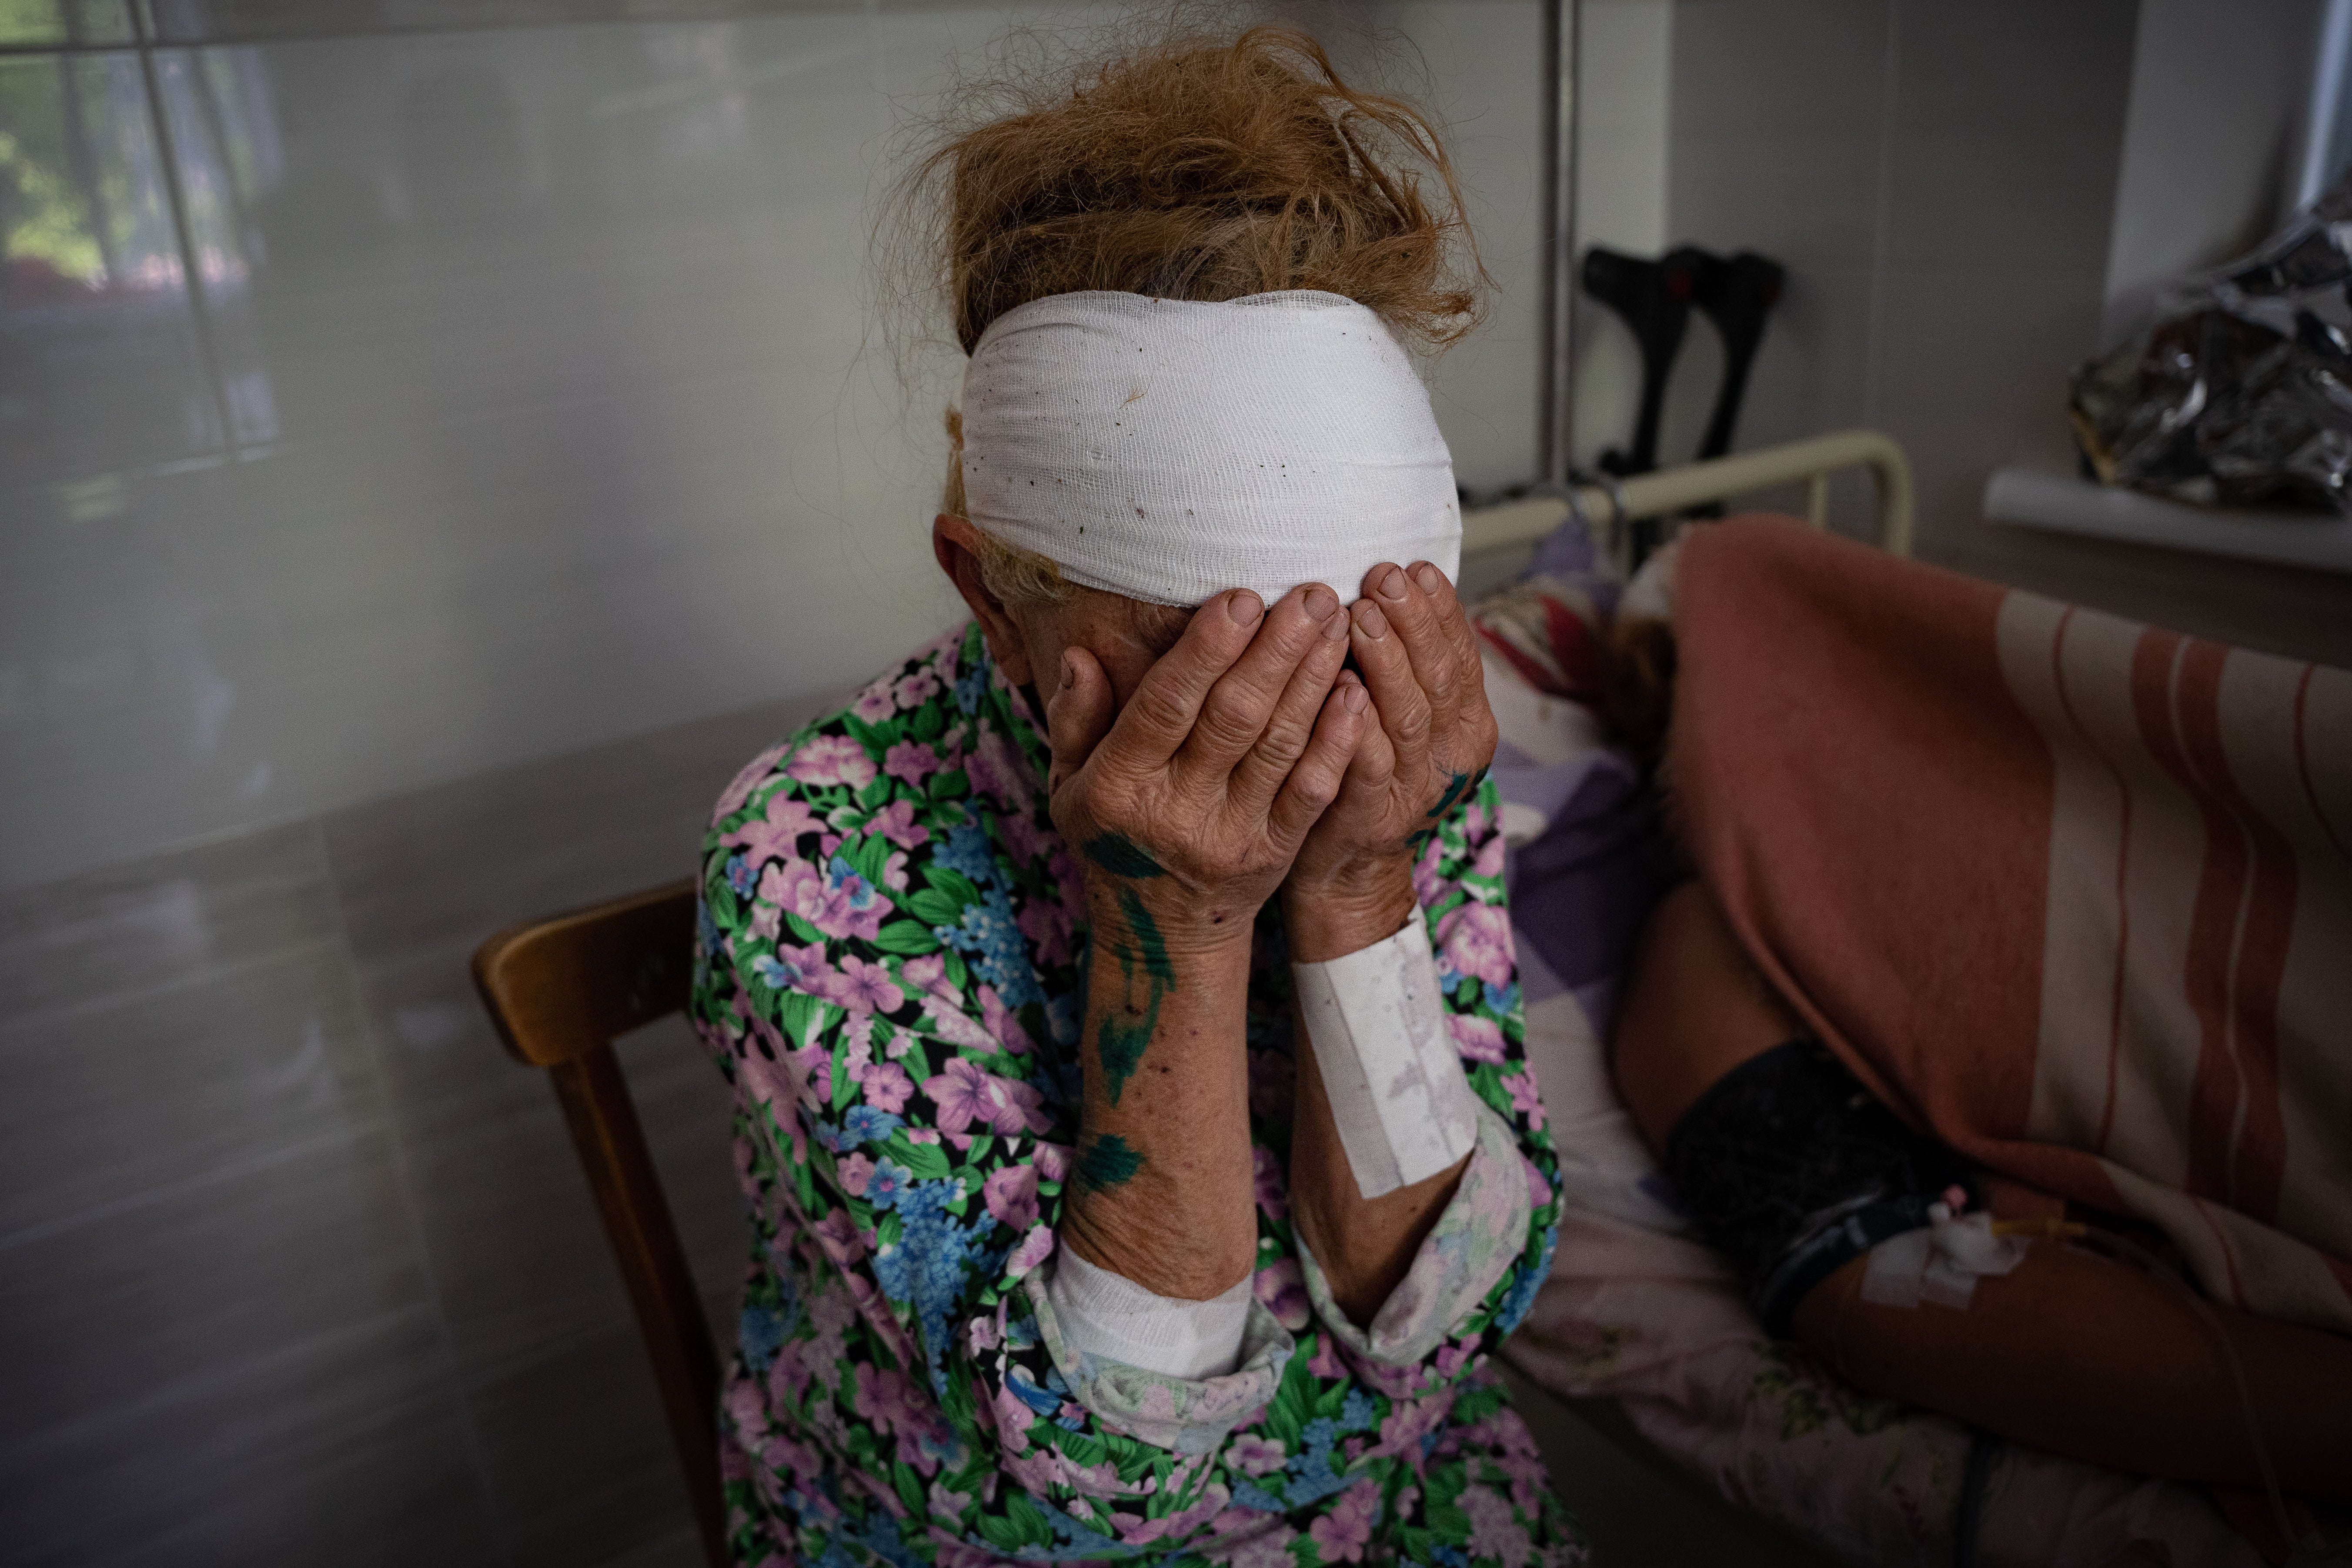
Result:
{"points": [[1170, 450]]}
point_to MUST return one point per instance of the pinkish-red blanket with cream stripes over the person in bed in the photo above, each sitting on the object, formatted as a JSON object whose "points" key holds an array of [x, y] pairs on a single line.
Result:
{"points": [[2076, 894]]}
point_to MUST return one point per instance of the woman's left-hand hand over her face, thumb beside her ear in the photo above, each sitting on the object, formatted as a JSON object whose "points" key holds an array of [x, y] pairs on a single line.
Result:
{"points": [[1198, 793]]}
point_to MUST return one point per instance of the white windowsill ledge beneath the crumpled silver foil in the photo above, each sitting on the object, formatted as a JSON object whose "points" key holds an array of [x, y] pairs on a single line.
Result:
{"points": [[2066, 504]]}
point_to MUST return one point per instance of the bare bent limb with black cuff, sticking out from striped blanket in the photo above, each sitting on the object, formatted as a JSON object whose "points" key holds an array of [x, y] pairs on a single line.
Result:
{"points": [[1791, 1170]]}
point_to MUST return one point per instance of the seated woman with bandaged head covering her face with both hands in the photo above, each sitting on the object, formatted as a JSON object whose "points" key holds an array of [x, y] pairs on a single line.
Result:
{"points": [[1118, 993]]}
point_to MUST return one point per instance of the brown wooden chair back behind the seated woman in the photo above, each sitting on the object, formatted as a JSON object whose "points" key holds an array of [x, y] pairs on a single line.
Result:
{"points": [[561, 991]]}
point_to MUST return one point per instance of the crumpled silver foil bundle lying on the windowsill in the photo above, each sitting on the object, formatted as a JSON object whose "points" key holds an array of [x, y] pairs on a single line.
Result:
{"points": [[2243, 391]]}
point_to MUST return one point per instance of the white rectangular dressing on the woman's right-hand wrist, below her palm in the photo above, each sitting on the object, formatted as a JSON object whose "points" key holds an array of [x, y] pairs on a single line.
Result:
{"points": [[1396, 1085]]}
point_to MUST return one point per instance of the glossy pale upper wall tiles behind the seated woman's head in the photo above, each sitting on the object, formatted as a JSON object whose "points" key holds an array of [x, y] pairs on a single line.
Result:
{"points": [[528, 396]]}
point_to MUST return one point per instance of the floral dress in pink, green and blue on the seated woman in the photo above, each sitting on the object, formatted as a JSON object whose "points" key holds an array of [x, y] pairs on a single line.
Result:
{"points": [[888, 970]]}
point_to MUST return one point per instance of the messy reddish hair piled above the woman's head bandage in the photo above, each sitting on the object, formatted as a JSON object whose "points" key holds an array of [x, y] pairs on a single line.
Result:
{"points": [[1198, 170]]}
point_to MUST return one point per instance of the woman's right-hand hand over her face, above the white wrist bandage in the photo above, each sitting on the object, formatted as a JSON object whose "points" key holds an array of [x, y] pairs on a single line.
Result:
{"points": [[1429, 749]]}
